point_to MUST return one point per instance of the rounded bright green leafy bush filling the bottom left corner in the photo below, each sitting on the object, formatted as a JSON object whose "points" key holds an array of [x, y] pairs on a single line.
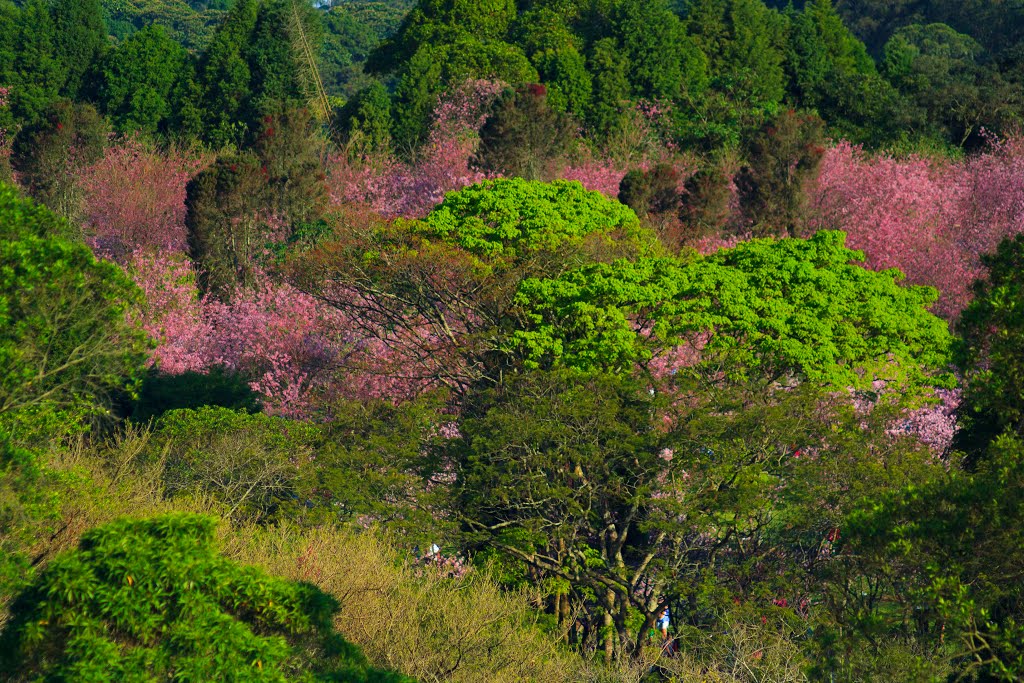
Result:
{"points": [[152, 600]]}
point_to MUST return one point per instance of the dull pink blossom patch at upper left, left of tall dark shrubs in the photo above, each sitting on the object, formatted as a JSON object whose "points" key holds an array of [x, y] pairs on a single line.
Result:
{"points": [[135, 198]]}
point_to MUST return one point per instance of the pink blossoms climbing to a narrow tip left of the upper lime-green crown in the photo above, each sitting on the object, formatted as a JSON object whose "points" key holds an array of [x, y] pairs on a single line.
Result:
{"points": [[444, 164]]}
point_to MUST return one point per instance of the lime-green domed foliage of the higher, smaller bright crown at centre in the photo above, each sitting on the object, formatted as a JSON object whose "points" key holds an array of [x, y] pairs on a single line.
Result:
{"points": [[511, 219]]}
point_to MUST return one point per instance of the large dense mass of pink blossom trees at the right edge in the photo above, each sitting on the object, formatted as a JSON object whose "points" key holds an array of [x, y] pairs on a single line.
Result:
{"points": [[931, 220]]}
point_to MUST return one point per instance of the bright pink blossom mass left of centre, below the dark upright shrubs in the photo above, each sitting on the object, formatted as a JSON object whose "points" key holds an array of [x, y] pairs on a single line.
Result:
{"points": [[298, 353]]}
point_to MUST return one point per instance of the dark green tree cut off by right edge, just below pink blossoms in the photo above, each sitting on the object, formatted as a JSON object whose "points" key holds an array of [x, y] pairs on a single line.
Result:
{"points": [[991, 352]]}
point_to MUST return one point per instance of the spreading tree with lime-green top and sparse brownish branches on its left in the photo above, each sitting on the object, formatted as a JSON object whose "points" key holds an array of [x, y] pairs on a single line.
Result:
{"points": [[441, 290]]}
